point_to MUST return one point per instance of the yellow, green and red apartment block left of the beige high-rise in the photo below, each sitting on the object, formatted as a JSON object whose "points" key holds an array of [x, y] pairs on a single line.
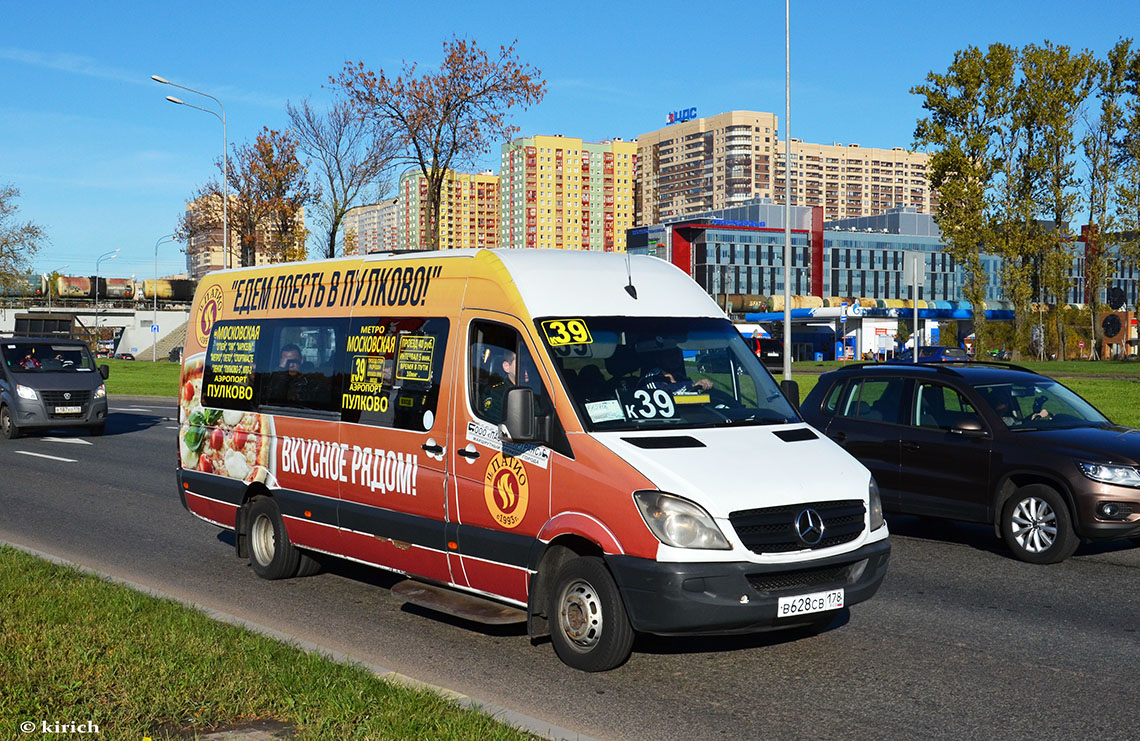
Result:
{"points": [[561, 193]]}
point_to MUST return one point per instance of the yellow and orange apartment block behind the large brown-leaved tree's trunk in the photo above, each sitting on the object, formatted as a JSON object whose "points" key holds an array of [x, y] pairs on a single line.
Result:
{"points": [[469, 213]]}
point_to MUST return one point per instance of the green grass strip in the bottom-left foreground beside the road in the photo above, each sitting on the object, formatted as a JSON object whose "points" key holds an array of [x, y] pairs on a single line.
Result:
{"points": [[77, 649]]}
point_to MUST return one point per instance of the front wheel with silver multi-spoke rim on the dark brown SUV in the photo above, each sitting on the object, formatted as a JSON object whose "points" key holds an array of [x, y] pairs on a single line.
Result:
{"points": [[1038, 527]]}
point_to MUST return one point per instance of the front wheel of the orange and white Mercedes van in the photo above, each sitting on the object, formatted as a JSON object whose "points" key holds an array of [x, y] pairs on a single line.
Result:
{"points": [[590, 628]]}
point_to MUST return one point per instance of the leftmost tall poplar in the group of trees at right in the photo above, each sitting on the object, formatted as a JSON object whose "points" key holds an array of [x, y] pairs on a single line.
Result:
{"points": [[965, 108]]}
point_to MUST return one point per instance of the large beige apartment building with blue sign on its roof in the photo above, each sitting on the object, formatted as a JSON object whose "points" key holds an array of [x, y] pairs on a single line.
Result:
{"points": [[731, 159]]}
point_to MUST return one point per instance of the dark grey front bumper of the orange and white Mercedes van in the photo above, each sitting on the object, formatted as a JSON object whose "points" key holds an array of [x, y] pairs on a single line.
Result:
{"points": [[710, 599]]}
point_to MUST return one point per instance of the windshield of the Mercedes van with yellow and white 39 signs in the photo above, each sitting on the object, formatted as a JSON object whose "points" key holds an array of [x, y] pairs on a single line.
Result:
{"points": [[636, 373]]}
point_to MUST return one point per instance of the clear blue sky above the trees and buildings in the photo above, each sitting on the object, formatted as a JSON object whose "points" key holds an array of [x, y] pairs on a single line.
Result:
{"points": [[103, 161]]}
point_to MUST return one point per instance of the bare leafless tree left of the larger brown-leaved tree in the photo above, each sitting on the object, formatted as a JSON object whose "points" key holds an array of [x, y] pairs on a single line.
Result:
{"points": [[351, 156]]}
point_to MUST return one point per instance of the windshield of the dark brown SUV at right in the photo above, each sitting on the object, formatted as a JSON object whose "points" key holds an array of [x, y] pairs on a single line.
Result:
{"points": [[1040, 405]]}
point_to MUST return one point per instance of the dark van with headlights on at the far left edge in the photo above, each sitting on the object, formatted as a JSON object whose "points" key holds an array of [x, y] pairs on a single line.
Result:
{"points": [[48, 382]]}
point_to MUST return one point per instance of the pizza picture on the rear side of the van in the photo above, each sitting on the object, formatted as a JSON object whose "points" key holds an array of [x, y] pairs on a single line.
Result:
{"points": [[230, 444]]}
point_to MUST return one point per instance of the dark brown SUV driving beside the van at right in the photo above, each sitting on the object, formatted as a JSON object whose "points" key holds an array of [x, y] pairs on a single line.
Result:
{"points": [[987, 443]]}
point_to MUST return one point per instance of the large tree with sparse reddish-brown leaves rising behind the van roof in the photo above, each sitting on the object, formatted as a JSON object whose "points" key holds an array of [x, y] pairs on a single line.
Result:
{"points": [[449, 118]]}
